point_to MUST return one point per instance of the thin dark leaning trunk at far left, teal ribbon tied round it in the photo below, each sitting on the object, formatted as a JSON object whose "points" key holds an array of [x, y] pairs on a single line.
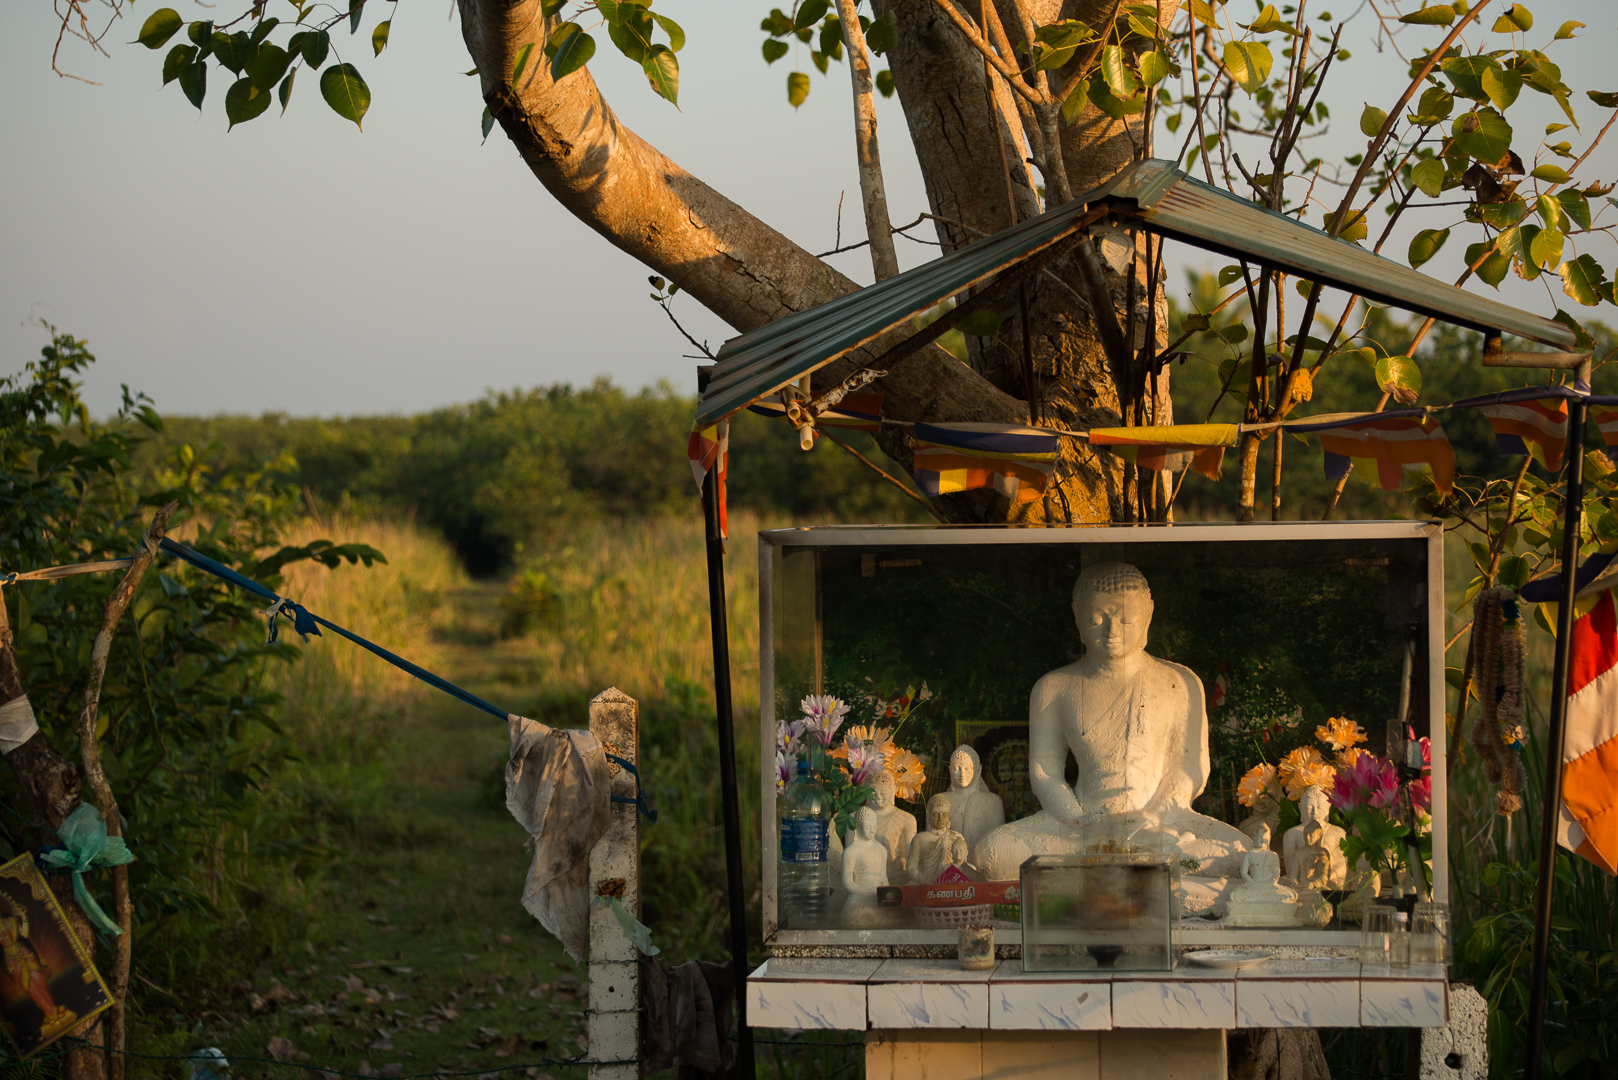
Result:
{"points": [[51, 784]]}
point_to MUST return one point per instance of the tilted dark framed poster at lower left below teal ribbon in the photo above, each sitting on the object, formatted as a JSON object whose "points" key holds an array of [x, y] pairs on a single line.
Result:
{"points": [[49, 985]]}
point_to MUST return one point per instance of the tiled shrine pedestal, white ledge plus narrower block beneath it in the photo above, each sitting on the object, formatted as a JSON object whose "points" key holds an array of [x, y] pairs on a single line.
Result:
{"points": [[931, 1021]]}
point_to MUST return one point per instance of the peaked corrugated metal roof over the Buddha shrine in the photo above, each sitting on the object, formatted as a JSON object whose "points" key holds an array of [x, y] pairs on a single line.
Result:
{"points": [[1161, 198]]}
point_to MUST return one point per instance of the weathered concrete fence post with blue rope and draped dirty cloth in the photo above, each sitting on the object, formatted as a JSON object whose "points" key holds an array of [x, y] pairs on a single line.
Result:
{"points": [[616, 972]]}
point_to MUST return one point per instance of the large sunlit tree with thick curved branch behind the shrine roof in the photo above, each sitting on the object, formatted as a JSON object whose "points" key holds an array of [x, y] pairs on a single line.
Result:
{"points": [[1014, 108]]}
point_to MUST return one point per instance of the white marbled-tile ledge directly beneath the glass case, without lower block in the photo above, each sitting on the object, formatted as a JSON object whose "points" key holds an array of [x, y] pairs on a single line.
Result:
{"points": [[939, 997]]}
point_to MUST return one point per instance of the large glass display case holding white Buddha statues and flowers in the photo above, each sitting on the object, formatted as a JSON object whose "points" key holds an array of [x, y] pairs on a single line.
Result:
{"points": [[973, 699]]}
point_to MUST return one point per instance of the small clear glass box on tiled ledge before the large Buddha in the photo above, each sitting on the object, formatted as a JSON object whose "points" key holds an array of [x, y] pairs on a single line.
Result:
{"points": [[1111, 912]]}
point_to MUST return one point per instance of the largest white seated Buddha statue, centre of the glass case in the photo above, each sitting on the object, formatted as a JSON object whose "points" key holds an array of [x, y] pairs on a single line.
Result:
{"points": [[1138, 729]]}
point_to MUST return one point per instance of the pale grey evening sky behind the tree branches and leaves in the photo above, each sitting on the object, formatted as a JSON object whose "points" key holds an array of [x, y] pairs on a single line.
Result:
{"points": [[297, 265]]}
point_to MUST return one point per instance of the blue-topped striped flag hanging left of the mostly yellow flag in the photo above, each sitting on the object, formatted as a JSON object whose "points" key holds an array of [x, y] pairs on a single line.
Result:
{"points": [[1017, 462]]}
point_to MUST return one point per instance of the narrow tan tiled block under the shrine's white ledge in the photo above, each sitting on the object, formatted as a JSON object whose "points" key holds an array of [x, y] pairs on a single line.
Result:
{"points": [[909, 1055]]}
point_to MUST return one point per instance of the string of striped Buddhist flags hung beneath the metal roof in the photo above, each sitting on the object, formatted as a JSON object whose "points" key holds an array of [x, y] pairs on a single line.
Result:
{"points": [[1019, 461]]}
